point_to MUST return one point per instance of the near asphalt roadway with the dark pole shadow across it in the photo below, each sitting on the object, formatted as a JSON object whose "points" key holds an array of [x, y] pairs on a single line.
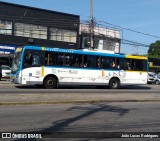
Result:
{"points": [[99, 117]]}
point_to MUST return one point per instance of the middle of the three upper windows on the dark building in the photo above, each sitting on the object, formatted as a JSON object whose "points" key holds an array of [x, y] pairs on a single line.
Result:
{"points": [[30, 30]]}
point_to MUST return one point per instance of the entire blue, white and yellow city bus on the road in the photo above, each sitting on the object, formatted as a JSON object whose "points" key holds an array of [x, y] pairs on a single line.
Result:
{"points": [[53, 67]]}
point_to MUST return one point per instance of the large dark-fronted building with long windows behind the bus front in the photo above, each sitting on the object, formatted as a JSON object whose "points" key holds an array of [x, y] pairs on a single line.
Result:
{"points": [[24, 25]]}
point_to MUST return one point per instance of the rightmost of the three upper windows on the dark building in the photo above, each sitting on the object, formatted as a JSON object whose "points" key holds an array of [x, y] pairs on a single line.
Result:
{"points": [[63, 35]]}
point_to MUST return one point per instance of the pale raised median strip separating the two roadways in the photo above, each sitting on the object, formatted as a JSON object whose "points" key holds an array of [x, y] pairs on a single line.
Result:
{"points": [[13, 98]]}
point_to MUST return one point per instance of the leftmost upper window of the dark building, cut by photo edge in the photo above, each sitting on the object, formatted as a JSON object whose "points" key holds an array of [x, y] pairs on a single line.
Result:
{"points": [[5, 27]]}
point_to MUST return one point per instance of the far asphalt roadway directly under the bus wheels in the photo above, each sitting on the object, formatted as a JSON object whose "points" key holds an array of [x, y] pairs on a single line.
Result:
{"points": [[7, 86]]}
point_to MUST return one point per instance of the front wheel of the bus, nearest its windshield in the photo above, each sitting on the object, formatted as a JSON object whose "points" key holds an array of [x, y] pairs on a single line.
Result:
{"points": [[50, 82]]}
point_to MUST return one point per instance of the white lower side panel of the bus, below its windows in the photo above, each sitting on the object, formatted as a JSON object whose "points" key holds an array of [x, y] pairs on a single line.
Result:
{"points": [[31, 76]]}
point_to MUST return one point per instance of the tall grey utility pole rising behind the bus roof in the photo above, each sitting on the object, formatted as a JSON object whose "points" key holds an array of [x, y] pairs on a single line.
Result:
{"points": [[91, 26]]}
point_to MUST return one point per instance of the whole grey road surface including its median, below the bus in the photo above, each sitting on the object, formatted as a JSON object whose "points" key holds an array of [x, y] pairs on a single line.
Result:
{"points": [[79, 109]]}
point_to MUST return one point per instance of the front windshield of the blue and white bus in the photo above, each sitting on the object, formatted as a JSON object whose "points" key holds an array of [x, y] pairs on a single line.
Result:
{"points": [[16, 62]]}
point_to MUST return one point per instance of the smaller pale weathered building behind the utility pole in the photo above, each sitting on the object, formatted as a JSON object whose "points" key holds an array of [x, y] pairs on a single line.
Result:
{"points": [[104, 38]]}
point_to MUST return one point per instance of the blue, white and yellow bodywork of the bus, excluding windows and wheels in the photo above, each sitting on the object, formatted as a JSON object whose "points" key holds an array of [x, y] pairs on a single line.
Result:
{"points": [[77, 75]]}
